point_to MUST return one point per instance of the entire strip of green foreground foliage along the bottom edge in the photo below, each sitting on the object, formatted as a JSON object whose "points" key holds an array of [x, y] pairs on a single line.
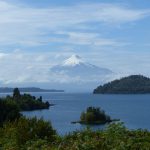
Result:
{"points": [[33, 134]]}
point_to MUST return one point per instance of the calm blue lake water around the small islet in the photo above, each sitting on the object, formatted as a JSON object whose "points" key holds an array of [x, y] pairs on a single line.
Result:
{"points": [[133, 110]]}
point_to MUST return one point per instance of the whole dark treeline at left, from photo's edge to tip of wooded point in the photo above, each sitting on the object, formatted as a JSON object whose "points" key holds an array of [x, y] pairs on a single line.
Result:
{"points": [[10, 106]]}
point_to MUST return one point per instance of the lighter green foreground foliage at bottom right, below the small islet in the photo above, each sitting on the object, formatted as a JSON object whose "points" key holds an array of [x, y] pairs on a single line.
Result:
{"points": [[115, 137]]}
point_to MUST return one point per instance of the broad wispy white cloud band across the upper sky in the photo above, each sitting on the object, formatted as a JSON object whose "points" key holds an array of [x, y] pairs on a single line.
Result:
{"points": [[28, 26]]}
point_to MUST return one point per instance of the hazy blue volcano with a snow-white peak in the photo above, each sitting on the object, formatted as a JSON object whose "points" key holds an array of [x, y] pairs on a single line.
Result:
{"points": [[75, 66]]}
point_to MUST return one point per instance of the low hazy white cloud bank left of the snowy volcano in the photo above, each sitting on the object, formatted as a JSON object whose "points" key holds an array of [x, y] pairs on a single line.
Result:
{"points": [[20, 67]]}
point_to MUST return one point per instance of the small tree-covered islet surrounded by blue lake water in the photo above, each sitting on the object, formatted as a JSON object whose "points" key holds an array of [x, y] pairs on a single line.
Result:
{"points": [[94, 116]]}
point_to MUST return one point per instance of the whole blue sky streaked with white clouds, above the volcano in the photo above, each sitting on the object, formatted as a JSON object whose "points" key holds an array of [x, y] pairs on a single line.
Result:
{"points": [[38, 34]]}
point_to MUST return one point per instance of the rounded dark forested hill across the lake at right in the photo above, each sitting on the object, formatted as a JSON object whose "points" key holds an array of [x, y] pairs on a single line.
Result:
{"points": [[134, 84]]}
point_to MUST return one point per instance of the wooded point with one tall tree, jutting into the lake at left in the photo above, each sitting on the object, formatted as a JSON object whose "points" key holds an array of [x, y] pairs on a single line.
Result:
{"points": [[26, 102]]}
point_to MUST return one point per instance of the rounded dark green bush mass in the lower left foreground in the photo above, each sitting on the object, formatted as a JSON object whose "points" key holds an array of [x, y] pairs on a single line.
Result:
{"points": [[23, 133]]}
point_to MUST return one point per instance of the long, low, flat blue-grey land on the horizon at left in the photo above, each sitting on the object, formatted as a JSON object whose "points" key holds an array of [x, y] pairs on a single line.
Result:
{"points": [[28, 89]]}
